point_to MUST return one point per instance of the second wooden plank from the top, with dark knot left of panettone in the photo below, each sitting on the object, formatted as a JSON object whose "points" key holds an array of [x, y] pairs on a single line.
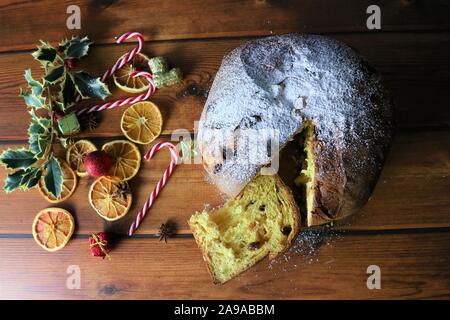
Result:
{"points": [[416, 74]]}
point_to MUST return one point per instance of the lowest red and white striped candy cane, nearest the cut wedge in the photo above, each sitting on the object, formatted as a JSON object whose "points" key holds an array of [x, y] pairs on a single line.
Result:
{"points": [[161, 183]]}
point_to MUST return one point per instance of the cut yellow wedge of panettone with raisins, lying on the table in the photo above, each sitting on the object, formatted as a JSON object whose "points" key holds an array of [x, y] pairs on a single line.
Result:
{"points": [[262, 220]]}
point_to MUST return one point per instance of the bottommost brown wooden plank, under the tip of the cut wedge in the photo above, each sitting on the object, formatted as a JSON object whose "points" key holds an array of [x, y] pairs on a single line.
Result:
{"points": [[413, 265]]}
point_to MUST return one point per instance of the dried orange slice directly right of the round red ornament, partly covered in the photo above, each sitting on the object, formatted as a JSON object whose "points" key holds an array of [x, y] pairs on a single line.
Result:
{"points": [[125, 158]]}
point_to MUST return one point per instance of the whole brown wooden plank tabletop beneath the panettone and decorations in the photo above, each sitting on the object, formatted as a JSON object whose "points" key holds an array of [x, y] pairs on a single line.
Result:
{"points": [[404, 228]]}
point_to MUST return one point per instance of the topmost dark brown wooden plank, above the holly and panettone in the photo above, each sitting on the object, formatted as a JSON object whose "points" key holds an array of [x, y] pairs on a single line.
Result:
{"points": [[171, 19]]}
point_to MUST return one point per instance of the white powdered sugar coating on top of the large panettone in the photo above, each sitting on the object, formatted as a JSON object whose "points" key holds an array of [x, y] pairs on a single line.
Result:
{"points": [[274, 85]]}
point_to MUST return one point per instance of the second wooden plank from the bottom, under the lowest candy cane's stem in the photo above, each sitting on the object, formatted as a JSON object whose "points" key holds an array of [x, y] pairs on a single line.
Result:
{"points": [[412, 192]]}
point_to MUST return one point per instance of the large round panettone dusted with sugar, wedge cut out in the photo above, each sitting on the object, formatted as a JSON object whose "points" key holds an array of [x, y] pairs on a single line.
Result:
{"points": [[305, 108]]}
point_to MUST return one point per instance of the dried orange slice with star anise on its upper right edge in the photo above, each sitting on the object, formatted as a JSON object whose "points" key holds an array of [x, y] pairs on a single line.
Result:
{"points": [[110, 198]]}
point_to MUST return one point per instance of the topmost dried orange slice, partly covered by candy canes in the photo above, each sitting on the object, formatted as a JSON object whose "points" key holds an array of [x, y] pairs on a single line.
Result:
{"points": [[123, 79]]}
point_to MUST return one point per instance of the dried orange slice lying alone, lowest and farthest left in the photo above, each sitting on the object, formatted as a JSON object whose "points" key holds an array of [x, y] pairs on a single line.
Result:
{"points": [[52, 228]]}
